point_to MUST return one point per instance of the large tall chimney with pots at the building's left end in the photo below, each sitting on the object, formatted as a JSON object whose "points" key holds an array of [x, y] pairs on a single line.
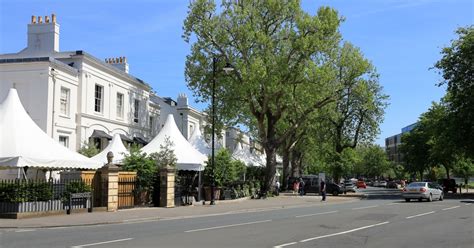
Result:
{"points": [[43, 37]]}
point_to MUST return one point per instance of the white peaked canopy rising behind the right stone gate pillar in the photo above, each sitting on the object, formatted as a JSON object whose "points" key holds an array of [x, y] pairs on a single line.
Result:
{"points": [[188, 157]]}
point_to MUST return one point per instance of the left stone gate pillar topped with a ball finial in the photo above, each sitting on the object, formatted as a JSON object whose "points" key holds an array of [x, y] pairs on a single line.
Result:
{"points": [[110, 173]]}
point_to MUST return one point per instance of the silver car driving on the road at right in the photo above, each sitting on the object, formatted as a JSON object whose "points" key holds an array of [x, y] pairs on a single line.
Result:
{"points": [[423, 190]]}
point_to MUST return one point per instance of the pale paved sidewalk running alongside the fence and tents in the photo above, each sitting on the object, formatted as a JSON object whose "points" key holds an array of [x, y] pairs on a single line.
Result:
{"points": [[153, 214]]}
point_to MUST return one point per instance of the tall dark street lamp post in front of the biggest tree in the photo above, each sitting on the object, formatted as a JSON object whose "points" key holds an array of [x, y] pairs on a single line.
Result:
{"points": [[227, 69]]}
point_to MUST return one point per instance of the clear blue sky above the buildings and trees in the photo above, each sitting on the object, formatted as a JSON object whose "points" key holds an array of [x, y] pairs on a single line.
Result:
{"points": [[402, 38]]}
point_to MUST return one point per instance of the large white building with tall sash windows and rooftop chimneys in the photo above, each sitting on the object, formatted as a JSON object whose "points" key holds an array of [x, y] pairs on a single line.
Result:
{"points": [[75, 97]]}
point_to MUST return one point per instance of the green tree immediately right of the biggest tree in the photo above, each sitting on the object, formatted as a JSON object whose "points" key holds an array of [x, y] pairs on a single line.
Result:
{"points": [[359, 108]]}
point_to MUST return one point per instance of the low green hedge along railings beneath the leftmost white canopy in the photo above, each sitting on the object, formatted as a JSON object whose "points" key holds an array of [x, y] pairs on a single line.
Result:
{"points": [[25, 191]]}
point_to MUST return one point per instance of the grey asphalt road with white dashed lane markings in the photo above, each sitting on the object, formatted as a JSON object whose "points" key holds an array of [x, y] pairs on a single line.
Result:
{"points": [[375, 222]]}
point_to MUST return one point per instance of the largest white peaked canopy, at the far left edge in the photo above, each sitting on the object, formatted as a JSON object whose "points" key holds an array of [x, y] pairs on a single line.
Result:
{"points": [[23, 143]]}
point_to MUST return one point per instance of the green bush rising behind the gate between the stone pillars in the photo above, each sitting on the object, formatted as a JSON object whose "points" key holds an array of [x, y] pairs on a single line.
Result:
{"points": [[144, 165]]}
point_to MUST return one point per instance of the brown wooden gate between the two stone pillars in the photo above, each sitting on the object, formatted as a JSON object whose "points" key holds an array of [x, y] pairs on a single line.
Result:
{"points": [[126, 189]]}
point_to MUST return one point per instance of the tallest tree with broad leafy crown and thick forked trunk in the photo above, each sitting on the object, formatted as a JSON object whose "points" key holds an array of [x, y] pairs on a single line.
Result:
{"points": [[281, 56]]}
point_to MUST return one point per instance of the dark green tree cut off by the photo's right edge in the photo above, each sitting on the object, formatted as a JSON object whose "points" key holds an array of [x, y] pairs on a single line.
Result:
{"points": [[457, 68]]}
